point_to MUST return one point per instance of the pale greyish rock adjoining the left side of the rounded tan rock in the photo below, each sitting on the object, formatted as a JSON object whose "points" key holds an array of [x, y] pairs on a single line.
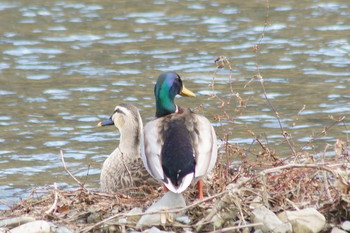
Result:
{"points": [[270, 222]]}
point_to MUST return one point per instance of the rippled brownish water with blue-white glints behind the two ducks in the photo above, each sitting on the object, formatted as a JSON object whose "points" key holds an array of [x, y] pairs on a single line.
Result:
{"points": [[64, 65]]}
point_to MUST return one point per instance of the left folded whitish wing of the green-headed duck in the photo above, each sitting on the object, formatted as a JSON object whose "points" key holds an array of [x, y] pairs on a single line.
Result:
{"points": [[151, 151]]}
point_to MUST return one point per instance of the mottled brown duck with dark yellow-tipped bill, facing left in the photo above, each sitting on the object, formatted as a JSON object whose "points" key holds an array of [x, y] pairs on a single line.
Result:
{"points": [[124, 168]]}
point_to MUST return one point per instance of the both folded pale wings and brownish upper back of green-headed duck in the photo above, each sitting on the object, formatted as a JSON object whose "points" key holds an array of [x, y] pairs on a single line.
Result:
{"points": [[203, 138]]}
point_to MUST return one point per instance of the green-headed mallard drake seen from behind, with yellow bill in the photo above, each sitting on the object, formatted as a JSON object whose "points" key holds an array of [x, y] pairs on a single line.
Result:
{"points": [[179, 146]]}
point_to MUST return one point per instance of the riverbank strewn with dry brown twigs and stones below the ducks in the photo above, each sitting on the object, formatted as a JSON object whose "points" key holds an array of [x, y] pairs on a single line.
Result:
{"points": [[236, 195]]}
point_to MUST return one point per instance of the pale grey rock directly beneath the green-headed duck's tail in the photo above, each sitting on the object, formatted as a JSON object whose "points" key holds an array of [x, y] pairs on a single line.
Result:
{"points": [[169, 201]]}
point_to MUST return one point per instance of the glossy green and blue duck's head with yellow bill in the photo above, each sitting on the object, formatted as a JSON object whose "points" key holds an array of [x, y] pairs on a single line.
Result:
{"points": [[168, 85]]}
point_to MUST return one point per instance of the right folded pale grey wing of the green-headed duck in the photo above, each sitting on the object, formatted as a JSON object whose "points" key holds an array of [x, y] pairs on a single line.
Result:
{"points": [[204, 144]]}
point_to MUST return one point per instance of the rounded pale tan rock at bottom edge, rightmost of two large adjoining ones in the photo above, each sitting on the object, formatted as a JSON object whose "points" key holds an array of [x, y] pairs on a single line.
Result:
{"points": [[304, 221]]}
